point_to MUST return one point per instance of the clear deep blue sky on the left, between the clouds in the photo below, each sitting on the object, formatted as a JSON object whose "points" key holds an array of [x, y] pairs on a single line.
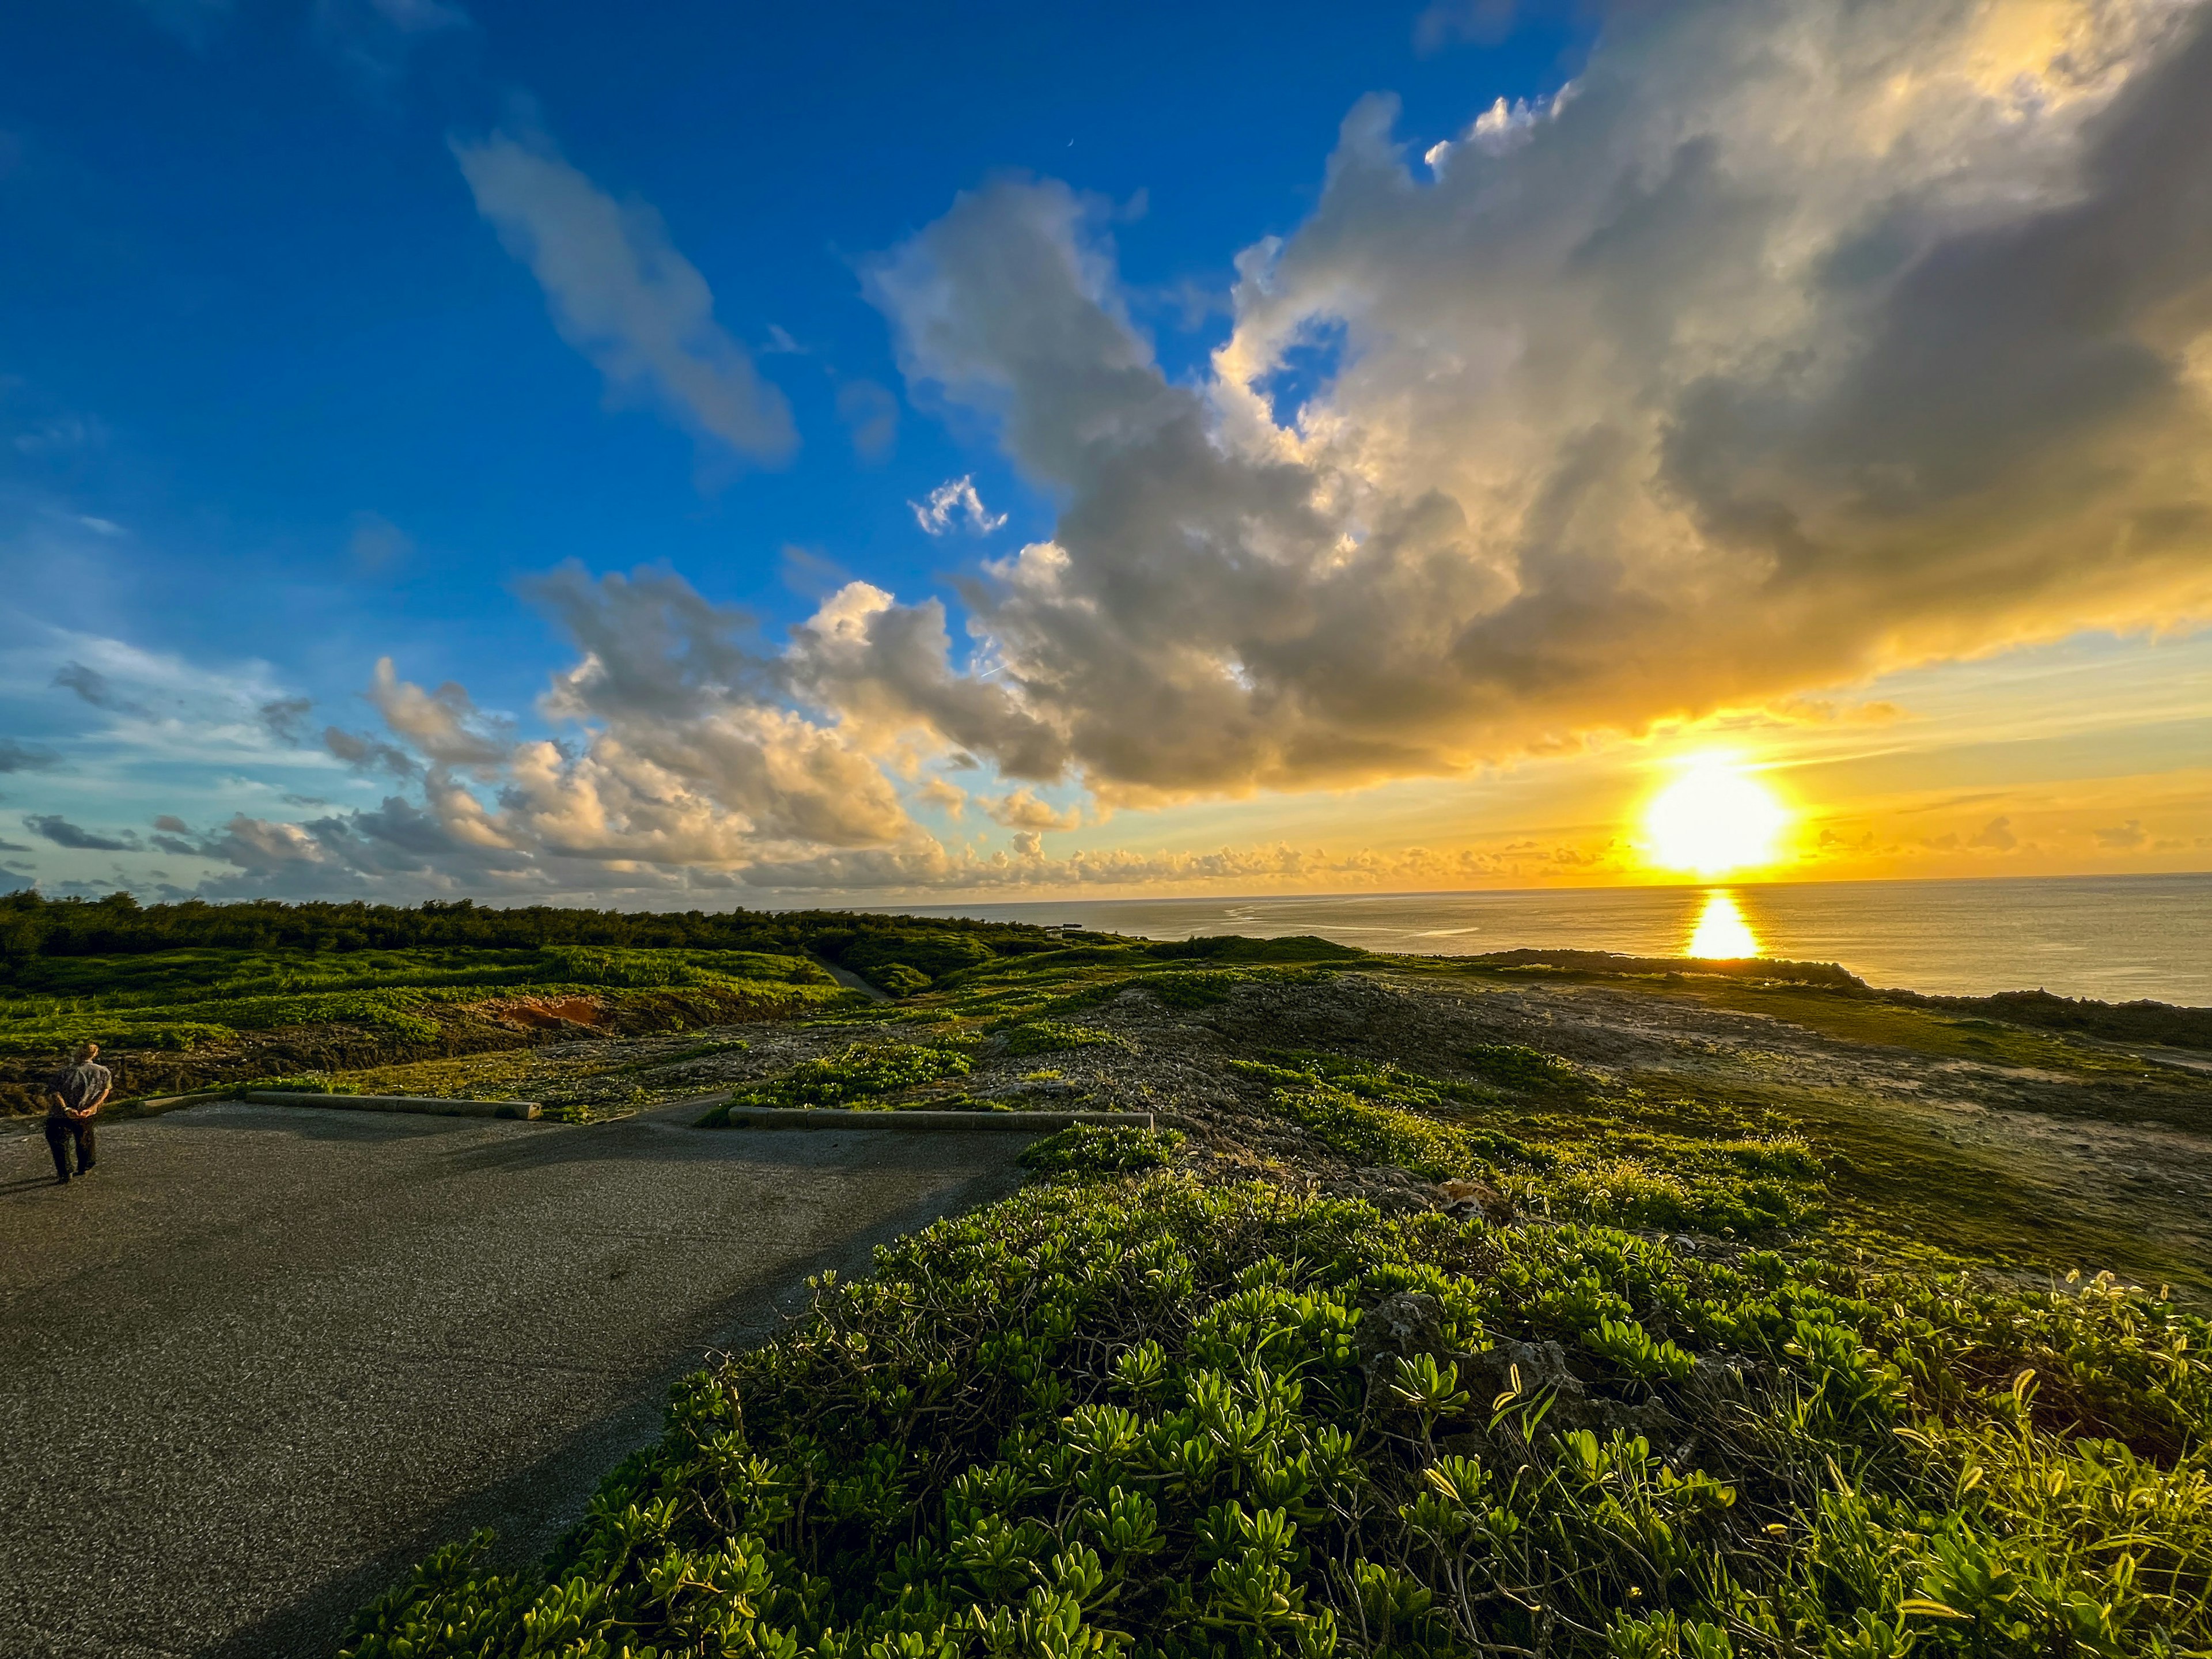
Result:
{"points": [[251, 273]]}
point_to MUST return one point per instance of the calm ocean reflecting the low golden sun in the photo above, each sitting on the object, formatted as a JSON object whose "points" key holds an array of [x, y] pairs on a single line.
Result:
{"points": [[2089, 937]]}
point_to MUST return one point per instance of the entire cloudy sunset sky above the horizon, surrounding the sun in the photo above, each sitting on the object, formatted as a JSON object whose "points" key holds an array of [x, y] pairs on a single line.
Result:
{"points": [[705, 455]]}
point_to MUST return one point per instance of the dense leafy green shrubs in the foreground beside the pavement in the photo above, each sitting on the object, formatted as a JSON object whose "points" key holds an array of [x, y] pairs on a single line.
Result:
{"points": [[1145, 1419]]}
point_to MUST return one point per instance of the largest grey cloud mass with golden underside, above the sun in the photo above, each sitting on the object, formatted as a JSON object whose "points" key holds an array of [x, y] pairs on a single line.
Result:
{"points": [[1791, 346]]}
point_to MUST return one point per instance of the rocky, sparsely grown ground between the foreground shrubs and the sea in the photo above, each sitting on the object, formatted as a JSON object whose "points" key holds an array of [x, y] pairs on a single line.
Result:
{"points": [[1981, 1140]]}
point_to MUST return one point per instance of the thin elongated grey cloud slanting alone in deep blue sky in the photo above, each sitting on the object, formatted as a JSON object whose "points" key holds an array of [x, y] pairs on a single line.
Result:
{"points": [[625, 298]]}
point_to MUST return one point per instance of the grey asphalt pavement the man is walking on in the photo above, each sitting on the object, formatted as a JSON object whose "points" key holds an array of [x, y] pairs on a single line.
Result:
{"points": [[267, 1357]]}
